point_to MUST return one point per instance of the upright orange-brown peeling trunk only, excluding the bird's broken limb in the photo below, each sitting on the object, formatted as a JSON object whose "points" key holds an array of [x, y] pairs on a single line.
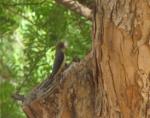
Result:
{"points": [[122, 49]]}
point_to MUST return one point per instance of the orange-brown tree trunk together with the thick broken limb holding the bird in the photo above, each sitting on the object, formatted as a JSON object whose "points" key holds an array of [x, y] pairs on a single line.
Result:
{"points": [[113, 81]]}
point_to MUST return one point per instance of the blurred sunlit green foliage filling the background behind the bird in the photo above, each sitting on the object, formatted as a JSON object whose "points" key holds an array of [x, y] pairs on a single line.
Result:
{"points": [[29, 31]]}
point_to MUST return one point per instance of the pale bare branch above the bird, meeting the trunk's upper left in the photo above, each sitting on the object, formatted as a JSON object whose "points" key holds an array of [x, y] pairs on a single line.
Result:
{"points": [[77, 7]]}
